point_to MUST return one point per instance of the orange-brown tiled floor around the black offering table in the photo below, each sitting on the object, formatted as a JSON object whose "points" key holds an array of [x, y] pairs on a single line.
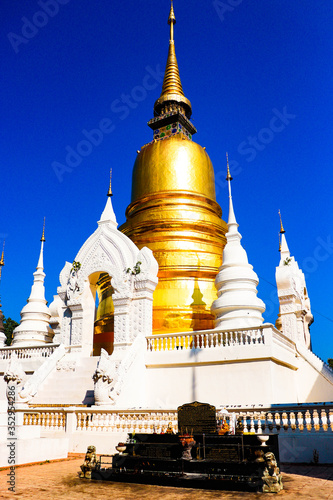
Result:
{"points": [[59, 480]]}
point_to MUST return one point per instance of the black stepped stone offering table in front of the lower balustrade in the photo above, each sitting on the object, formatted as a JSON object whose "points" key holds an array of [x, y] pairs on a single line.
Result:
{"points": [[217, 462]]}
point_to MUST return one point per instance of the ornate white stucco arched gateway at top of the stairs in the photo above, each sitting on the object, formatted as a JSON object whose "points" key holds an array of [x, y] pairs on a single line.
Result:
{"points": [[133, 275]]}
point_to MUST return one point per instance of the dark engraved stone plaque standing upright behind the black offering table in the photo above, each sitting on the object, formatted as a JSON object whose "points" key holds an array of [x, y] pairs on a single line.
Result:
{"points": [[199, 418]]}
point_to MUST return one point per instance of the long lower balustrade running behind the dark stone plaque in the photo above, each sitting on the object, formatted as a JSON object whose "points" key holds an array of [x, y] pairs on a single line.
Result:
{"points": [[300, 419]]}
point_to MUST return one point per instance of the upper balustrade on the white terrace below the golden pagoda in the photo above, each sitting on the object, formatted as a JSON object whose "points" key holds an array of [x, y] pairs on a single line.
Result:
{"points": [[207, 339]]}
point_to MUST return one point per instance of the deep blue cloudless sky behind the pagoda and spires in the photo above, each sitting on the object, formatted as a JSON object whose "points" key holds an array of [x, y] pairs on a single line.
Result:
{"points": [[236, 67]]}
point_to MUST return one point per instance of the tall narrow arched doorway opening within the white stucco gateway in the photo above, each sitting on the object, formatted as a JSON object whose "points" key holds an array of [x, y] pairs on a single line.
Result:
{"points": [[104, 316]]}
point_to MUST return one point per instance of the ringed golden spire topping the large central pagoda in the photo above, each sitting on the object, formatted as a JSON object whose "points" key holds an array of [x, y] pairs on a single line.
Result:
{"points": [[172, 90]]}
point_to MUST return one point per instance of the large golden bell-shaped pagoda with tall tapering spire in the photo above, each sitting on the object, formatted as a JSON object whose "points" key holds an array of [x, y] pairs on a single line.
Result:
{"points": [[174, 212]]}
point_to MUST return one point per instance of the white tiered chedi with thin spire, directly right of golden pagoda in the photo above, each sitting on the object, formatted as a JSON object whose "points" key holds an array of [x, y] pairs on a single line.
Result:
{"points": [[237, 305]]}
